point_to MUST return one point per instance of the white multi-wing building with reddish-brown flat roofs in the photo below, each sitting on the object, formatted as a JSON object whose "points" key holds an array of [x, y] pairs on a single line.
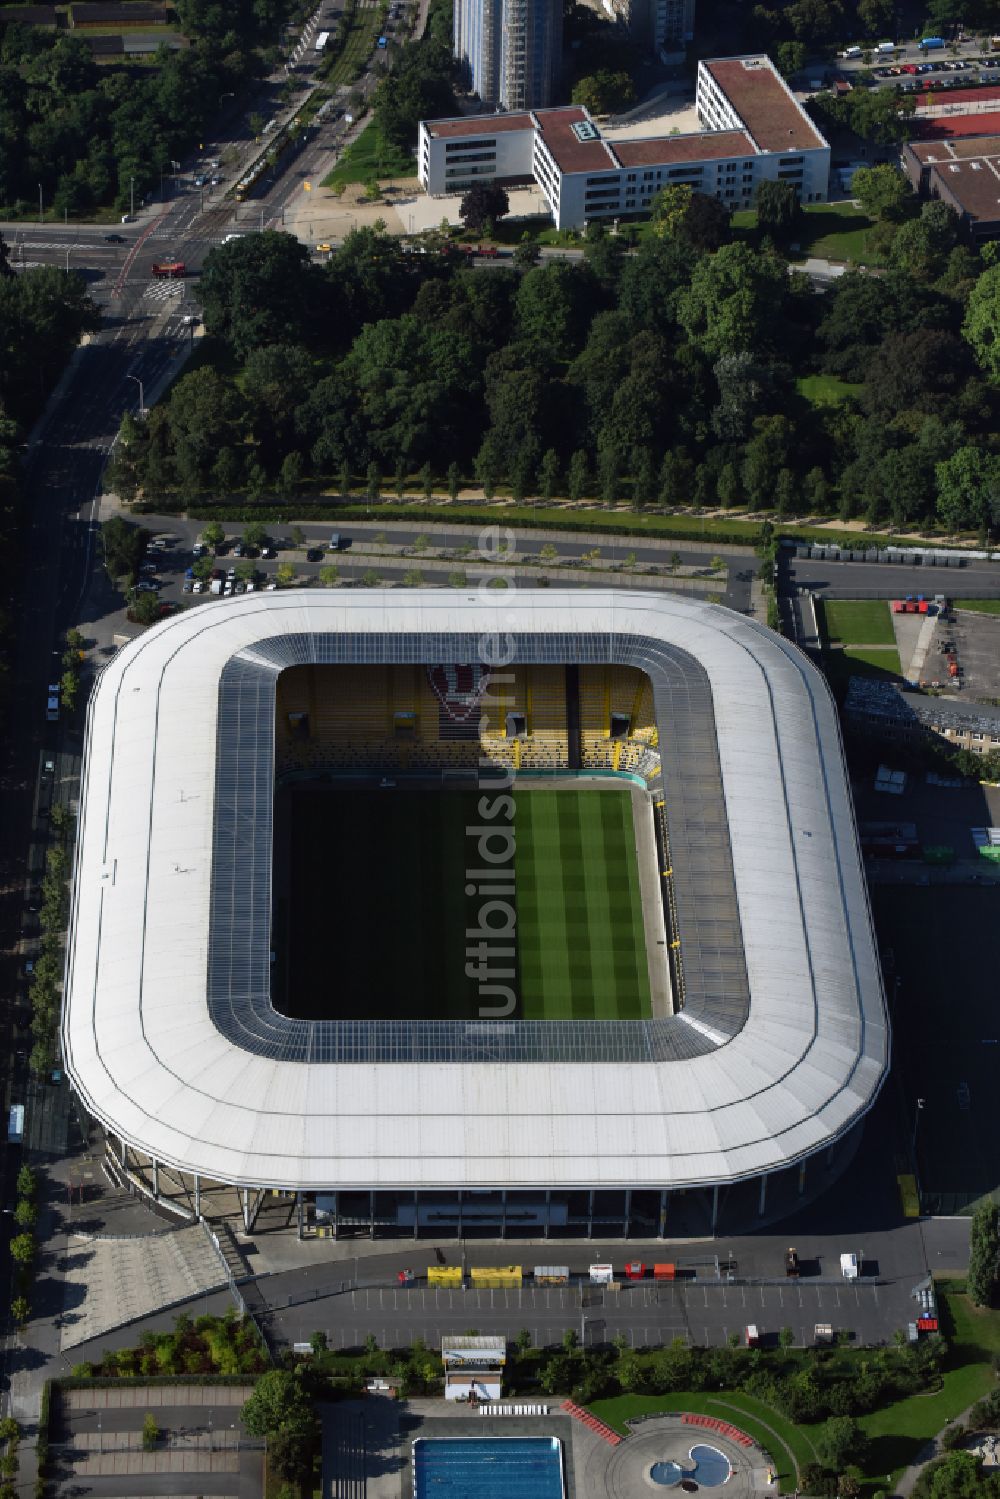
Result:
{"points": [[755, 131]]}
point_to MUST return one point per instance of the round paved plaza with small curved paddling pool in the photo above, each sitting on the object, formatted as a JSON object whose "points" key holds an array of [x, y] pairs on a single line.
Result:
{"points": [[672, 1455]]}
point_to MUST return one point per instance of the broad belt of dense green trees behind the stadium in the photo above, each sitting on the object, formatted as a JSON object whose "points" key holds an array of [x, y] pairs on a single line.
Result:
{"points": [[666, 374]]}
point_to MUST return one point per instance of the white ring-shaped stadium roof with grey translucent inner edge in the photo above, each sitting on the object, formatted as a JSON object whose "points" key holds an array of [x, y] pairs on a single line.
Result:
{"points": [[169, 1032]]}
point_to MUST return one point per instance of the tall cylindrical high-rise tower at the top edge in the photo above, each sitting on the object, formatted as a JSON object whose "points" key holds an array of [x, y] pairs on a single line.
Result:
{"points": [[512, 50]]}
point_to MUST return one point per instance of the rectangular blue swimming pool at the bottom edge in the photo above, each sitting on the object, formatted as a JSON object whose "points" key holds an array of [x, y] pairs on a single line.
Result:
{"points": [[488, 1468]]}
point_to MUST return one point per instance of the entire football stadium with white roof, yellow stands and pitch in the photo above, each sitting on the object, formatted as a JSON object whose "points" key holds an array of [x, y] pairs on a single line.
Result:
{"points": [[469, 914]]}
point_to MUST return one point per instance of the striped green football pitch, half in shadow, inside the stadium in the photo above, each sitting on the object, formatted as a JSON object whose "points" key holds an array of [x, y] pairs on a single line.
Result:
{"points": [[379, 906]]}
